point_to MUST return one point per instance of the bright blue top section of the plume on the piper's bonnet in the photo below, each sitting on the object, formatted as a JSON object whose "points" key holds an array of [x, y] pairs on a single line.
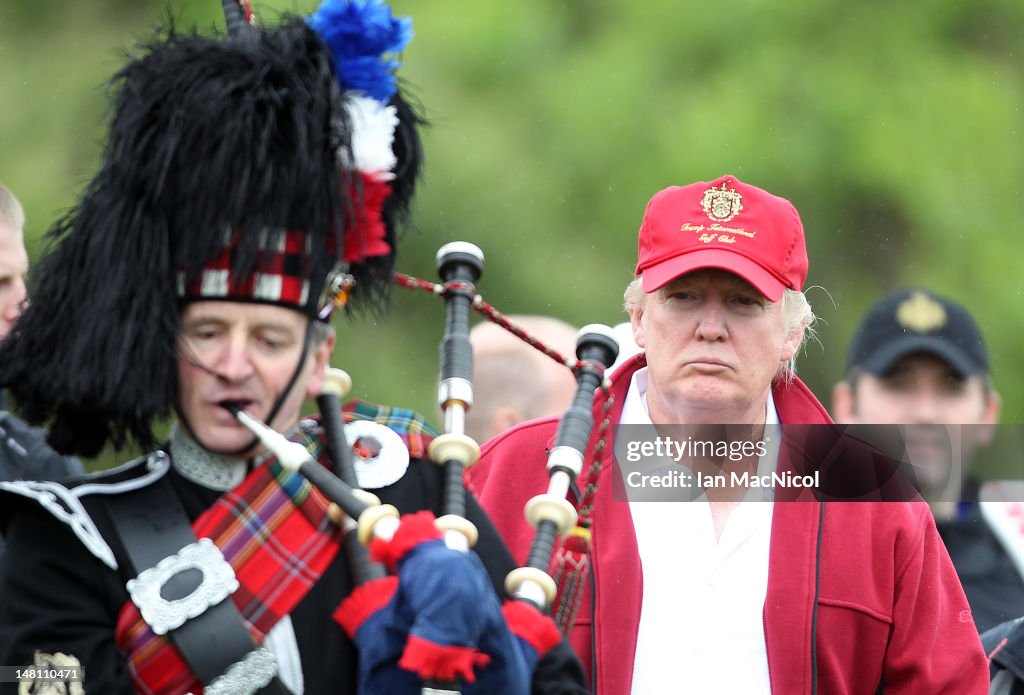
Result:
{"points": [[360, 34]]}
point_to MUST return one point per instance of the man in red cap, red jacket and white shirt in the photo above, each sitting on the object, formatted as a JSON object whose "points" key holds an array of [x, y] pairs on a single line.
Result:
{"points": [[724, 594]]}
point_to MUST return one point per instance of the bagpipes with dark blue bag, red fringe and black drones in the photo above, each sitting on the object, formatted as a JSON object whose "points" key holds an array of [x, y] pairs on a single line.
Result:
{"points": [[437, 624]]}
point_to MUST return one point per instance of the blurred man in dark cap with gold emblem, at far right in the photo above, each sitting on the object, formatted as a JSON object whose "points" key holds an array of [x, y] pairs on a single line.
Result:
{"points": [[919, 362]]}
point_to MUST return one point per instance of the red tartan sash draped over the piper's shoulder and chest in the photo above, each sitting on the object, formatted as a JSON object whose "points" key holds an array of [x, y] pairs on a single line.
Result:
{"points": [[274, 530]]}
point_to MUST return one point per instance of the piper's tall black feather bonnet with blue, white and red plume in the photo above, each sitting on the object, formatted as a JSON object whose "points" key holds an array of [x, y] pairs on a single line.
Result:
{"points": [[234, 169]]}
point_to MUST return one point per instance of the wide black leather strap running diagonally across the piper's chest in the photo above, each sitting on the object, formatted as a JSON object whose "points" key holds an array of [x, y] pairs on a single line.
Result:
{"points": [[154, 526]]}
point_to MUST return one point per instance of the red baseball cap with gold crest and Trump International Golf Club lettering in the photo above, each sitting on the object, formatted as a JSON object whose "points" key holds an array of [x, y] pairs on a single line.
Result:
{"points": [[726, 225]]}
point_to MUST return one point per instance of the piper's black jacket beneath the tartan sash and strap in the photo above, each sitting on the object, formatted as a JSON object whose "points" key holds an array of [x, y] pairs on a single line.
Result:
{"points": [[56, 596]]}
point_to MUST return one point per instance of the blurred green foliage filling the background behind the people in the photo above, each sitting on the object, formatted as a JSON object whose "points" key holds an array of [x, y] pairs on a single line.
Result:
{"points": [[893, 127]]}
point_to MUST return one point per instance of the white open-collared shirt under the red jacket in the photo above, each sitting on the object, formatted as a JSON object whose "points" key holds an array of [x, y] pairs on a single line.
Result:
{"points": [[702, 622]]}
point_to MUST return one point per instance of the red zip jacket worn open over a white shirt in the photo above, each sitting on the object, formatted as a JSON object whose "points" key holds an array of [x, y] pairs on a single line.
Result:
{"points": [[890, 610]]}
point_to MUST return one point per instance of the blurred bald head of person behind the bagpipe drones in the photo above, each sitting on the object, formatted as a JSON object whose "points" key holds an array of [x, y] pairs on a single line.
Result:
{"points": [[514, 382]]}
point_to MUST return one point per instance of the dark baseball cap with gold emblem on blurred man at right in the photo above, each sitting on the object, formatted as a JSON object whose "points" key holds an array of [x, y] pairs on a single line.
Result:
{"points": [[916, 321]]}
